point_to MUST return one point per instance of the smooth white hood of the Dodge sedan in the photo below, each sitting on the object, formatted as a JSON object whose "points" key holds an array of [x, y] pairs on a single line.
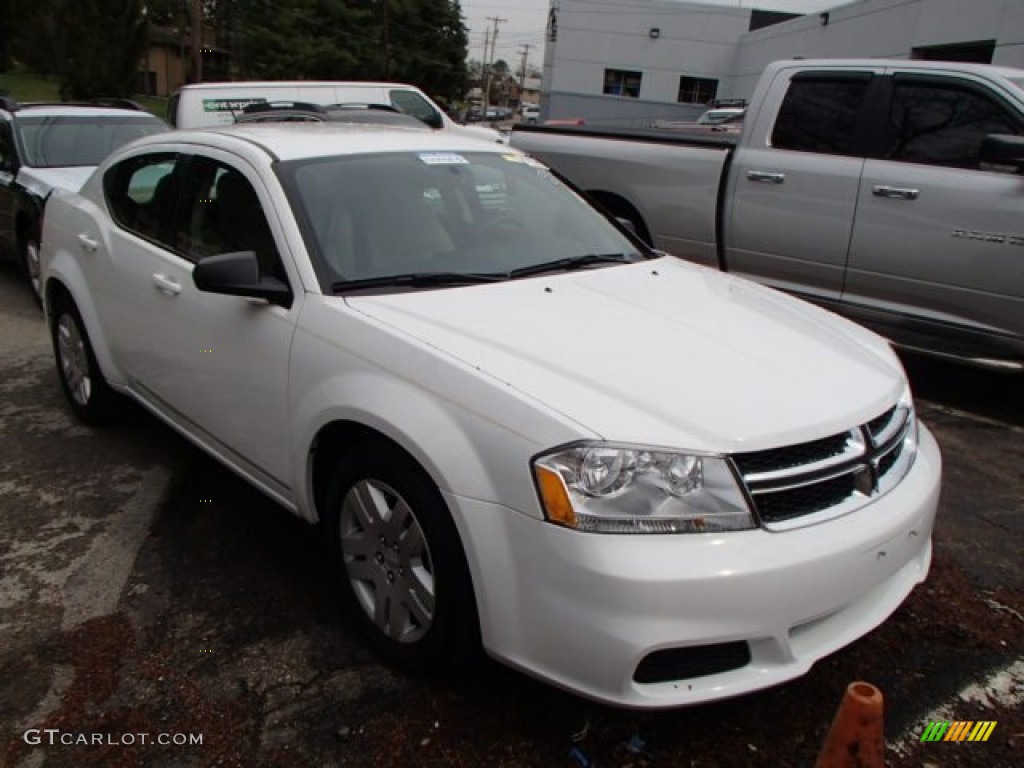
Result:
{"points": [[661, 353]]}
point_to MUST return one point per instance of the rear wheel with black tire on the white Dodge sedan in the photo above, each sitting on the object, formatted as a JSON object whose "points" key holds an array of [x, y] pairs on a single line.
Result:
{"points": [[88, 392]]}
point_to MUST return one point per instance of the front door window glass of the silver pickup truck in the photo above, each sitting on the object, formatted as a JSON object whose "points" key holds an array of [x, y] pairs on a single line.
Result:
{"points": [[943, 124]]}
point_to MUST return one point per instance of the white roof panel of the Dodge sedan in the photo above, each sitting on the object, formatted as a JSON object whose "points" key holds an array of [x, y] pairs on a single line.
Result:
{"points": [[301, 141]]}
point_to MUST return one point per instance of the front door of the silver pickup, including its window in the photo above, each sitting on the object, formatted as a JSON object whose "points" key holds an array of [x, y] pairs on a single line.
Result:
{"points": [[938, 245]]}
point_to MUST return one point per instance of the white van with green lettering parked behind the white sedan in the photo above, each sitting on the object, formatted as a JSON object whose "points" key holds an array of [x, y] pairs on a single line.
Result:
{"points": [[205, 105]]}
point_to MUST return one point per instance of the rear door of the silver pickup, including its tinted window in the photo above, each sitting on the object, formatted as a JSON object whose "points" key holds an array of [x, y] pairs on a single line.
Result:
{"points": [[795, 183]]}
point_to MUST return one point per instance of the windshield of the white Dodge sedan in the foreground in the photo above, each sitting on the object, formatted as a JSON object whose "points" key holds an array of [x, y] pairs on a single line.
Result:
{"points": [[372, 217]]}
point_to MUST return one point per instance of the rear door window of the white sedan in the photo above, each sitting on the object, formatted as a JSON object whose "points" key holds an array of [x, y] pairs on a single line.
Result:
{"points": [[142, 195]]}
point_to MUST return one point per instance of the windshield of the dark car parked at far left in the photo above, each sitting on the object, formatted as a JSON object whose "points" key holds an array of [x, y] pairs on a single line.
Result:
{"points": [[65, 142]]}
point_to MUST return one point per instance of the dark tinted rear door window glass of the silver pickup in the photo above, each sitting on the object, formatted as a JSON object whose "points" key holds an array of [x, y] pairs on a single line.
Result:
{"points": [[821, 114]]}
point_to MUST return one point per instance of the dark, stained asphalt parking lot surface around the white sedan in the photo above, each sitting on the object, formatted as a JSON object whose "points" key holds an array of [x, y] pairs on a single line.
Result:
{"points": [[149, 596]]}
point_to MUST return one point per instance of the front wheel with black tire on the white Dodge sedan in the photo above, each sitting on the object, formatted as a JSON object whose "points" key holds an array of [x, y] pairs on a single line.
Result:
{"points": [[382, 572]]}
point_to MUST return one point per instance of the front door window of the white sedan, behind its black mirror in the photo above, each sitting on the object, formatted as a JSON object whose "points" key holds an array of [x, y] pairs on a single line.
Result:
{"points": [[222, 214]]}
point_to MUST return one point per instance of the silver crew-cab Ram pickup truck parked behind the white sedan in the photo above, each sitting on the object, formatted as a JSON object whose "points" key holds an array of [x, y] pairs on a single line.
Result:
{"points": [[889, 192]]}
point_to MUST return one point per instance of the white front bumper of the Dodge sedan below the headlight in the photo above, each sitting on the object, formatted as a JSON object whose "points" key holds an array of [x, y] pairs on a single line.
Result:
{"points": [[582, 611]]}
